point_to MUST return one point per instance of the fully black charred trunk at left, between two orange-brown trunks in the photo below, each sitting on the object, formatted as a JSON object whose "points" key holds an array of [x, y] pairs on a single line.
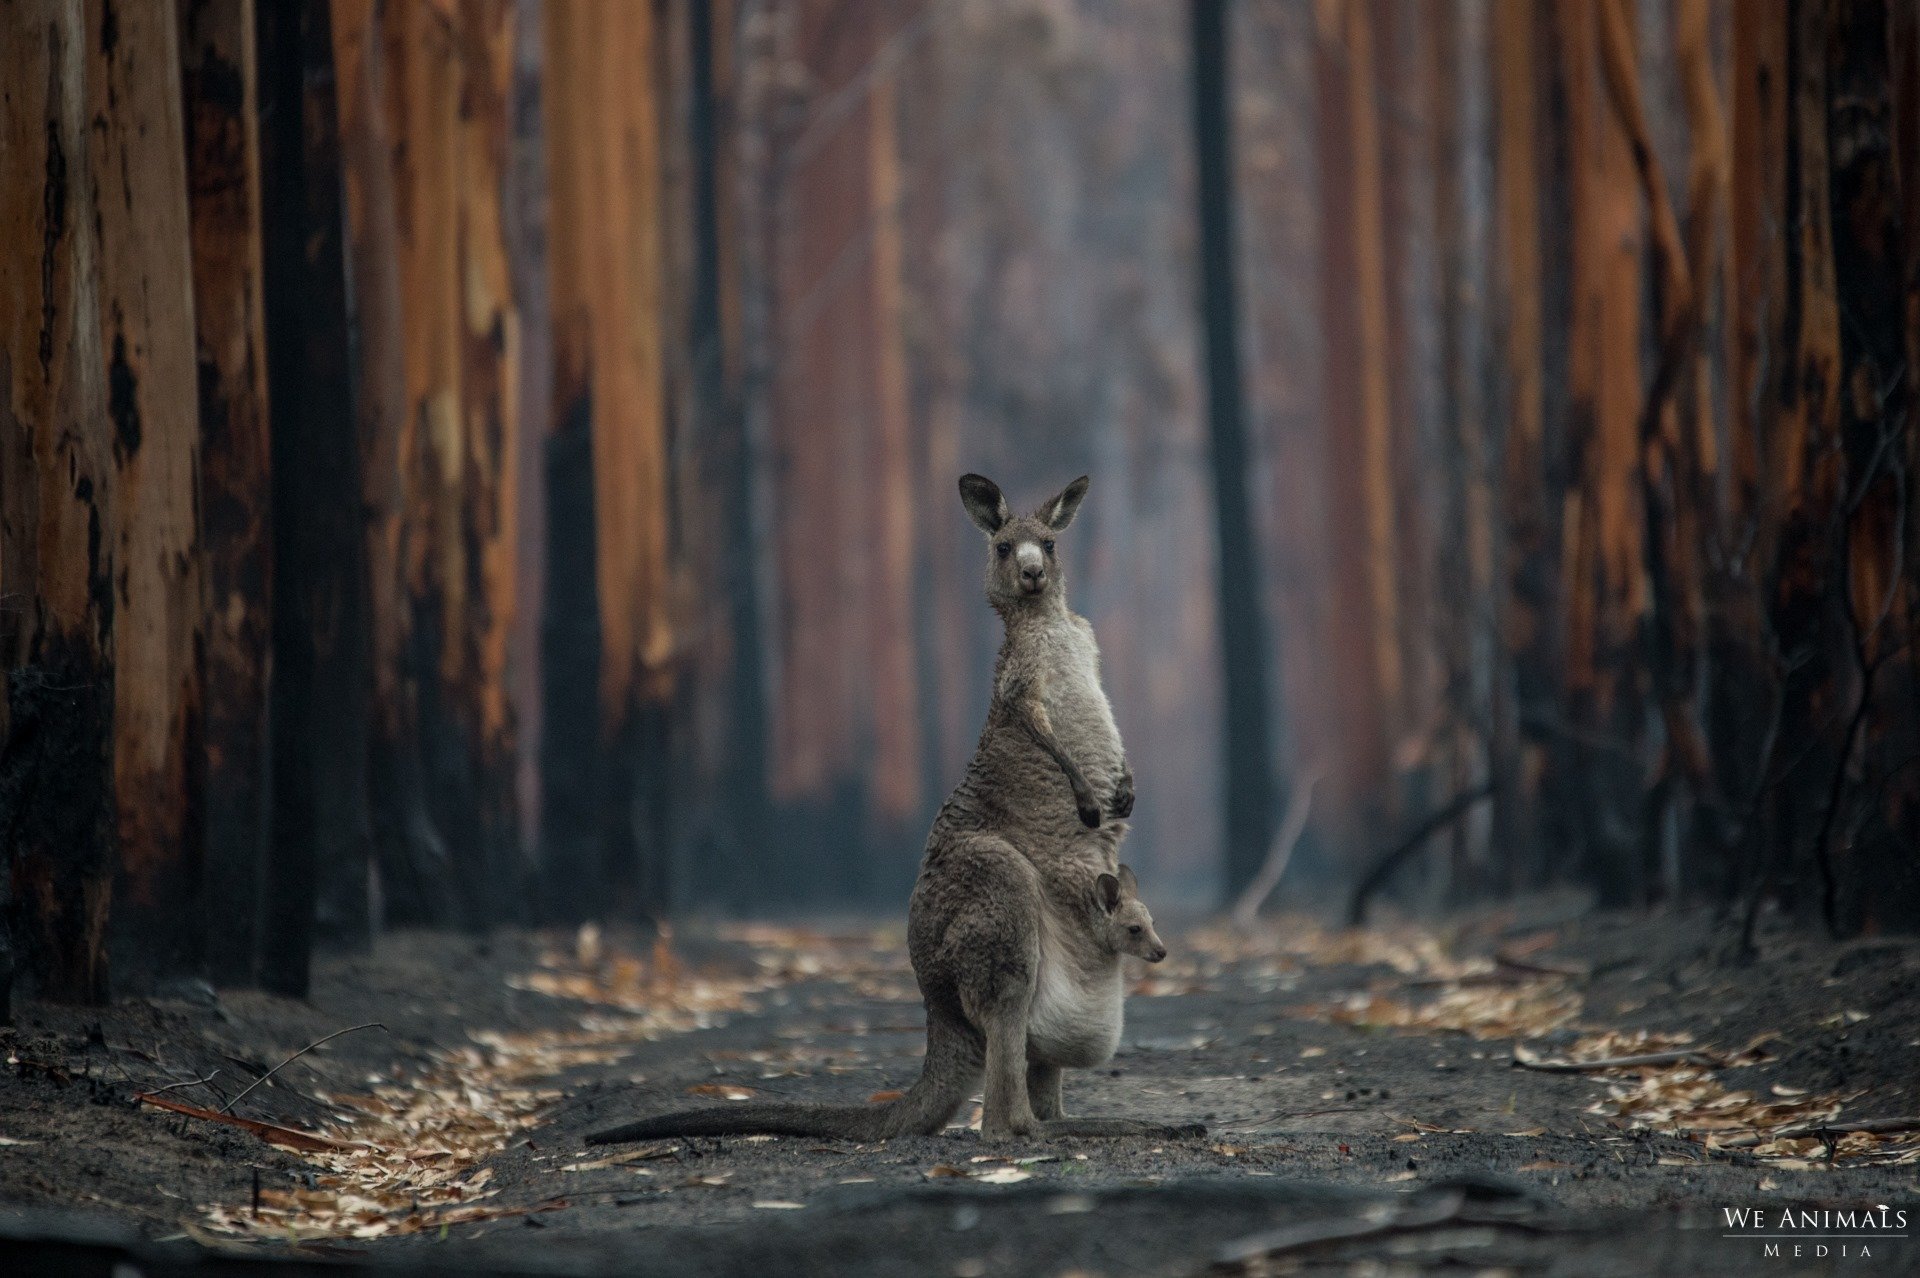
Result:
{"points": [[320, 699]]}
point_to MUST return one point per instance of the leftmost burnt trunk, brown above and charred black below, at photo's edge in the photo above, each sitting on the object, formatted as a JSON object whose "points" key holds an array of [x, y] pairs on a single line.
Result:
{"points": [[57, 511]]}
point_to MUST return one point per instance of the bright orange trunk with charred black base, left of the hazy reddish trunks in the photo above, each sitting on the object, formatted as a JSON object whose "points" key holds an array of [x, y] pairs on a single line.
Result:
{"points": [[608, 471]]}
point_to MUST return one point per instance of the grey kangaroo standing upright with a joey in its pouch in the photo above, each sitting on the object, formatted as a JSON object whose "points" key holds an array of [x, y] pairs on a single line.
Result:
{"points": [[1022, 911]]}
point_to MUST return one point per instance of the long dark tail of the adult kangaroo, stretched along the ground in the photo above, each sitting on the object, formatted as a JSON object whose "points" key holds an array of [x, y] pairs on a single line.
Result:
{"points": [[946, 1081]]}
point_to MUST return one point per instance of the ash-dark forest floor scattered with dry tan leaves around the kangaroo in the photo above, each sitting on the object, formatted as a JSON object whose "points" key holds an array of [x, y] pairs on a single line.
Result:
{"points": [[1360, 1091]]}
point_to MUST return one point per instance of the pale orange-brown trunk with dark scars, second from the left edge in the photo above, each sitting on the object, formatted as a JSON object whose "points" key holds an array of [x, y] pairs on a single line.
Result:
{"points": [[147, 337]]}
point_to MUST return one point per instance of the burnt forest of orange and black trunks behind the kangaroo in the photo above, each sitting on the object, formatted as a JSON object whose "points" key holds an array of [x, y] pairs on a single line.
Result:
{"points": [[492, 461]]}
